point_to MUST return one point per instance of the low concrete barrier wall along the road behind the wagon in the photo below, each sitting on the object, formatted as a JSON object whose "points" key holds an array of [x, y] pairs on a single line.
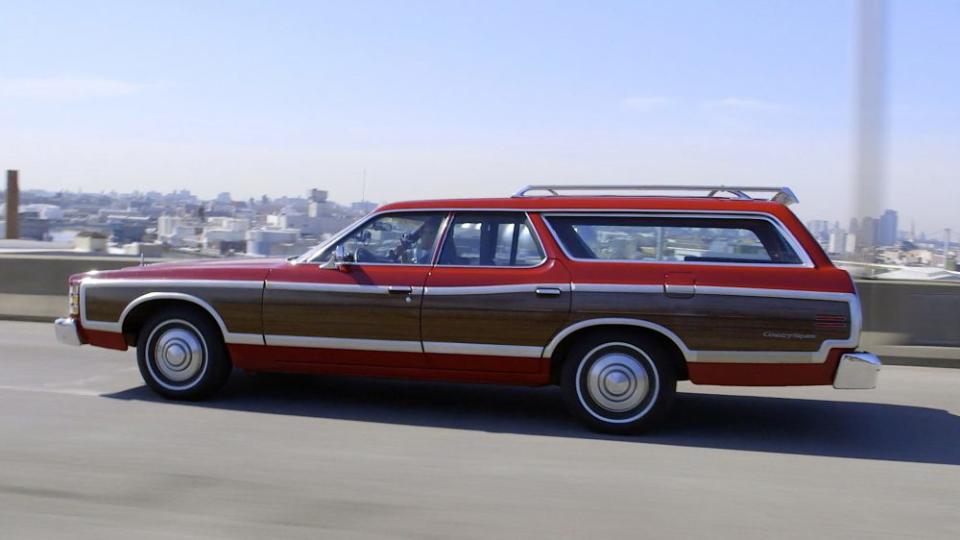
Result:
{"points": [[907, 322]]}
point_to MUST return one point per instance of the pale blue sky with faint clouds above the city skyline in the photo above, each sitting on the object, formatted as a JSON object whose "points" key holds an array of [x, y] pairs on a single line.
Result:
{"points": [[472, 98]]}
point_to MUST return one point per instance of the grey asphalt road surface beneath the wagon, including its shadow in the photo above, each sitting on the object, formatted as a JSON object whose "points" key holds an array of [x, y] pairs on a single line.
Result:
{"points": [[86, 451]]}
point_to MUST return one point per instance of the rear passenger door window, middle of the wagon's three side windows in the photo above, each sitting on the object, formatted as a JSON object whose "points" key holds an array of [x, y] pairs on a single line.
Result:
{"points": [[490, 239]]}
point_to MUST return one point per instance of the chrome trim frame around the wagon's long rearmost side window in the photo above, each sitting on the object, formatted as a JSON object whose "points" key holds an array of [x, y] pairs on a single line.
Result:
{"points": [[782, 230]]}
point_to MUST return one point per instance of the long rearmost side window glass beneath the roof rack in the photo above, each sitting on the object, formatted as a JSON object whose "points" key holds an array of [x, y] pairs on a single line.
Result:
{"points": [[672, 239]]}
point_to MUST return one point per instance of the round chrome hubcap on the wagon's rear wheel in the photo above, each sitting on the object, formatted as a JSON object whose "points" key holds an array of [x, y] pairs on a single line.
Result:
{"points": [[617, 382]]}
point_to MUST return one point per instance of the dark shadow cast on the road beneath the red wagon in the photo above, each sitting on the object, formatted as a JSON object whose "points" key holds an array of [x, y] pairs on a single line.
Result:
{"points": [[751, 423]]}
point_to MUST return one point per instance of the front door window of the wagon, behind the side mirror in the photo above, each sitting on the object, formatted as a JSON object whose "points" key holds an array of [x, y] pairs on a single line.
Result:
{"points": [[404, 238]]}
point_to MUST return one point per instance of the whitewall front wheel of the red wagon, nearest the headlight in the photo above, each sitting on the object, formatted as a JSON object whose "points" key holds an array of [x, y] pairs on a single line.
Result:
{"points": [[181, 354]]}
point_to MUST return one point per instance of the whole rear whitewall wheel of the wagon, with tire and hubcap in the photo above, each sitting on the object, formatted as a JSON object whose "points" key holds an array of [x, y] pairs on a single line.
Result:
{"points": [[618, 383]]}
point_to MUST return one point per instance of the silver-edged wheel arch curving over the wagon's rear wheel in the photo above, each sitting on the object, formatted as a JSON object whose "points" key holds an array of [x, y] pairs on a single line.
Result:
{"points": [[557, 349]]}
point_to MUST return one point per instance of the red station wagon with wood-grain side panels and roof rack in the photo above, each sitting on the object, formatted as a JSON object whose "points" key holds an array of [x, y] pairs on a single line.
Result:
{"points": [[613, 297]]}
